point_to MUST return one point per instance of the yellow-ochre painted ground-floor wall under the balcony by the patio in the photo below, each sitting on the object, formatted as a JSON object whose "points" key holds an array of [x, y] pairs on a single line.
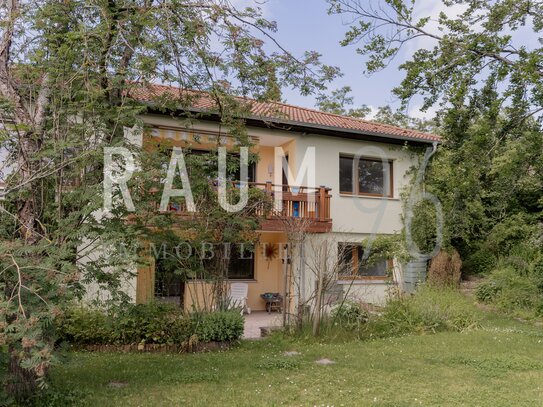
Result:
{"points": [[268, 278]]}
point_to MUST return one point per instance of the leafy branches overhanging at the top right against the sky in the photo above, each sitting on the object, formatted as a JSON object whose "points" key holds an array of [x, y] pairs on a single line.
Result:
{"points": [[470, 48]]}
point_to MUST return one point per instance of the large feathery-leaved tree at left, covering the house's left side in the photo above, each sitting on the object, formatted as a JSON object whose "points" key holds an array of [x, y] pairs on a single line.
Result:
{"points": [[67, 70]]}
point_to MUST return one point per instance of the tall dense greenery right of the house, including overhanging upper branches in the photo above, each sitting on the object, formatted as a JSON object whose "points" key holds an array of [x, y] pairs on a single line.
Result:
{"points": [[484, 73]]}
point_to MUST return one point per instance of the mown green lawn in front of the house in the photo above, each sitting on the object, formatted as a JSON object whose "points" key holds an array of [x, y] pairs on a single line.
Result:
{"points": [[500, 364]]}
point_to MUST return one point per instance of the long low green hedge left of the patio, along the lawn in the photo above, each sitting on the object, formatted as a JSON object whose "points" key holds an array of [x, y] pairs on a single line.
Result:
{"points": [[146, 323]]}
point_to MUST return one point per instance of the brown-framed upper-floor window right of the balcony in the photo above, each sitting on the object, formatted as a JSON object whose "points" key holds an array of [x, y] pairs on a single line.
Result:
{"points": [[370, 177]]}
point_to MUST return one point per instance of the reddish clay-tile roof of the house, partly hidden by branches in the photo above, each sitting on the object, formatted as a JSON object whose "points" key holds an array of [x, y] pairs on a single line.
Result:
{"points": [[285, 113]]}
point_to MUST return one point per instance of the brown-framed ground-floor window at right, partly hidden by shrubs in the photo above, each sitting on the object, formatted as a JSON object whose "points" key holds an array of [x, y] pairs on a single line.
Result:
{"points": [[353, 265]]}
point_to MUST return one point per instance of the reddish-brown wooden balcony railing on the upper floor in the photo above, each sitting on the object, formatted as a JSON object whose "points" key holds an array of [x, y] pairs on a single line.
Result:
{"points": [[302, 207]]}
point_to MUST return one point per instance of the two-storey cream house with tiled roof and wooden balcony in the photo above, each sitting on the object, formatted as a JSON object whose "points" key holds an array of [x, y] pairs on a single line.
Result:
{"points": [[348, 200]]}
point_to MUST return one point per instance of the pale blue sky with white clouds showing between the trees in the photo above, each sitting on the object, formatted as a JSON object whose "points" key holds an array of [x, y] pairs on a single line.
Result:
{"points": [[305, 25]]}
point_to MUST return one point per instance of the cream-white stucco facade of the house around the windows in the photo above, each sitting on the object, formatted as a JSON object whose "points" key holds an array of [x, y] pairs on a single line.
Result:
{"points": [[354, 217]]}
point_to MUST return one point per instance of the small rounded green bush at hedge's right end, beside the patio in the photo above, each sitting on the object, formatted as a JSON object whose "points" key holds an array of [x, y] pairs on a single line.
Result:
{"points": [[221, 326]]}
